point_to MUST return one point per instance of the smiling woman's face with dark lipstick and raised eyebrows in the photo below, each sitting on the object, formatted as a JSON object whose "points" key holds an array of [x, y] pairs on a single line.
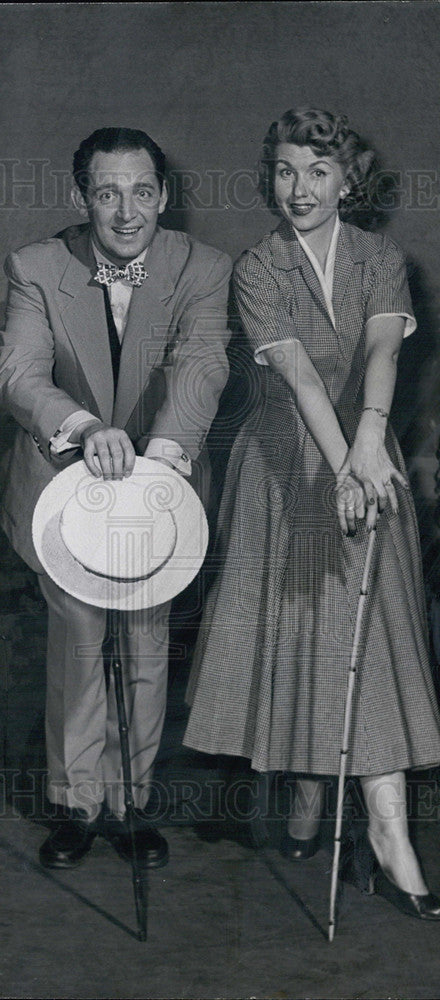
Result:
{"points": [[307, 186]]}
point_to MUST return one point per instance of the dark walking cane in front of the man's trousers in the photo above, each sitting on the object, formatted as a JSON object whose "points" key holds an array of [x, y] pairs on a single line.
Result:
{"points": [[138, 882]]}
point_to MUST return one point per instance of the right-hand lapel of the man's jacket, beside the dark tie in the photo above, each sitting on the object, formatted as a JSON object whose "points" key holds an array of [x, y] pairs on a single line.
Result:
{"points": [[148, 323]]}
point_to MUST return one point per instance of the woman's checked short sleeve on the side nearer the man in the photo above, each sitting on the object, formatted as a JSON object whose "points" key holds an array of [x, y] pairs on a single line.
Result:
{"points": [[263, 310]]}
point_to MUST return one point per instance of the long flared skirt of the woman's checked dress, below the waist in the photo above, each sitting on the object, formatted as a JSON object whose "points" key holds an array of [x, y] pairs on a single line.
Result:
{"points": [[270, 672]]}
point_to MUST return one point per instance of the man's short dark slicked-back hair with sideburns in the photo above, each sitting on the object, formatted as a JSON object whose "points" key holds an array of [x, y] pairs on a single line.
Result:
{"points": [[115, 140]]}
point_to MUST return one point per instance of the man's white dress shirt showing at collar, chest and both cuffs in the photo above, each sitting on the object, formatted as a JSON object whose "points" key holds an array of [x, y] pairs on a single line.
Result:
{"points": [[120, 292]]}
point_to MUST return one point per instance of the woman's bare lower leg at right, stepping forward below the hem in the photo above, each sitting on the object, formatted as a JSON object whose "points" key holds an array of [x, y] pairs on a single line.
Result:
{"points": [[385, 798]]}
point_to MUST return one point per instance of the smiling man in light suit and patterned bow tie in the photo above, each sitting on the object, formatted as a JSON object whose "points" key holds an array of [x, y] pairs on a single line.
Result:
{"points": [[114, 345]]}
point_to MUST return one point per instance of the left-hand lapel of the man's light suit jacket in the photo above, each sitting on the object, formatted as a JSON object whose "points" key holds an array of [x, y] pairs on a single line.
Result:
{"points": [[83, 316]]}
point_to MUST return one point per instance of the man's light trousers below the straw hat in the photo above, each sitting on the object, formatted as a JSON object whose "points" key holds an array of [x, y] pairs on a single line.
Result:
{"points": [[82, 736]]}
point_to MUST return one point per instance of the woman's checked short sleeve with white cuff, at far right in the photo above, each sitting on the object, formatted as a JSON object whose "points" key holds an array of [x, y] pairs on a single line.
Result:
{"points": [[390, 294]]}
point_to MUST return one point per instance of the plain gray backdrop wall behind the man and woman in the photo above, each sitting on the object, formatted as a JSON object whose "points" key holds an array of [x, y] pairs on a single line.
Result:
{"points": [[206, 79]]}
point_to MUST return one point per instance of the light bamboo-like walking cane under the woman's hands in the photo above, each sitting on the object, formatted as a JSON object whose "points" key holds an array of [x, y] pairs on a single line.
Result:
{"points": [[347, 722]]}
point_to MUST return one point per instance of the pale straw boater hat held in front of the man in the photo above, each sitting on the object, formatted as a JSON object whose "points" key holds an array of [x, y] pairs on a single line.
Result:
{"points": [[129, 544]]}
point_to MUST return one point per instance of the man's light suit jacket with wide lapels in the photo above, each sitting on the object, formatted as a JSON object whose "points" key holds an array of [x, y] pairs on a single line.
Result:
{"points": [[56, 356]]}
